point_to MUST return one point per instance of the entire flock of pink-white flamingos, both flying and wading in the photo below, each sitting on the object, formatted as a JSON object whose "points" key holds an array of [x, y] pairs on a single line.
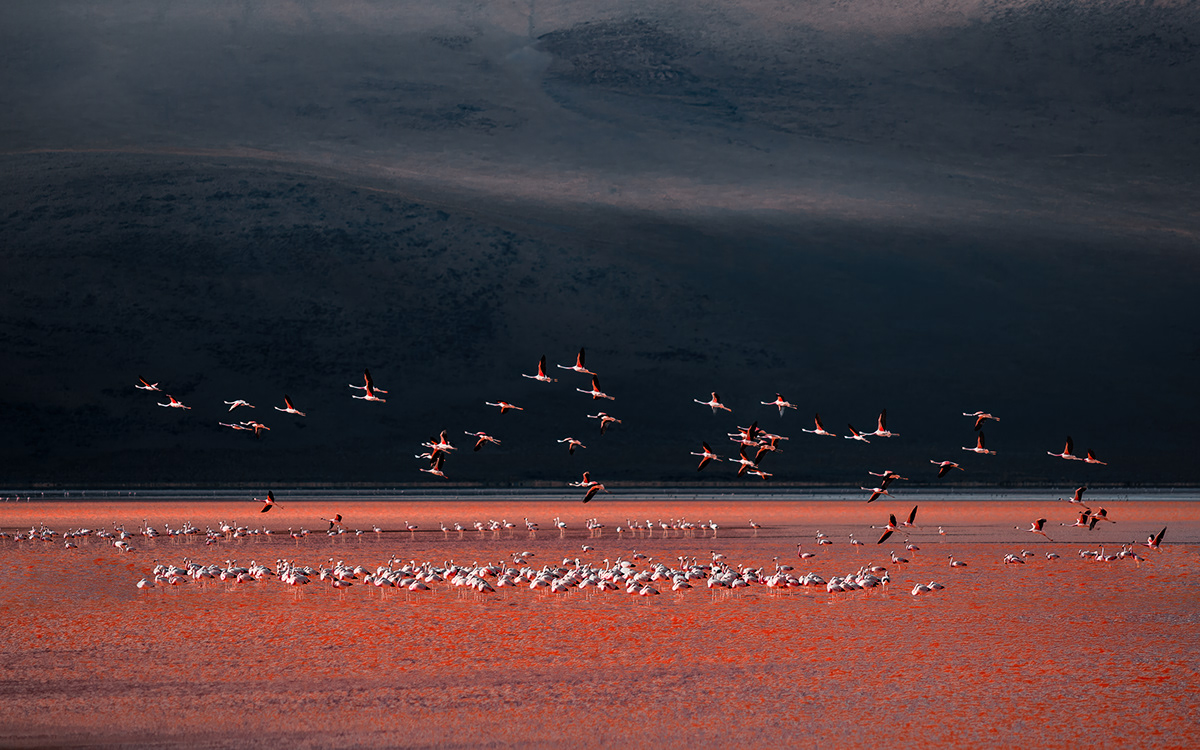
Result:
{"points": [[753, 446]]}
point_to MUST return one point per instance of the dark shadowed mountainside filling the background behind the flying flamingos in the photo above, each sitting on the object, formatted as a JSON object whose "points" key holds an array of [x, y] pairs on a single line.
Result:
{"points": [[976, 206]]}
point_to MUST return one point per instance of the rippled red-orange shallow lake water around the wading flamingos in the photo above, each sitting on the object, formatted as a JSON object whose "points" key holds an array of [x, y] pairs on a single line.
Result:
{"points": [[1052, 652]]}
